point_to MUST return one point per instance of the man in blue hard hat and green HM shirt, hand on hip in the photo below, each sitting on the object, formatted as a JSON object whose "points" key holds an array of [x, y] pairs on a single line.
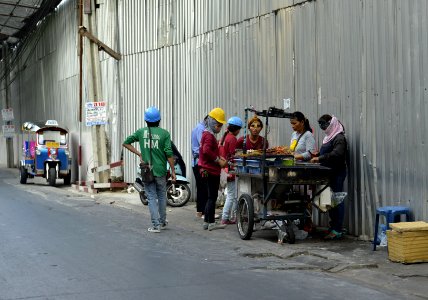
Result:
{"points": [[161, 152]]}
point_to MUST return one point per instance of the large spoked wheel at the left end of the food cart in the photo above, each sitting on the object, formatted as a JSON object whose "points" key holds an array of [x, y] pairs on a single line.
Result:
{"points": [[245, 216]]}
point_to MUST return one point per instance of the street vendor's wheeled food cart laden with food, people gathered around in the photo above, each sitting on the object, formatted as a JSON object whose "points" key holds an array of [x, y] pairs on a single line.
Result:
{"points": [[267, 179]]}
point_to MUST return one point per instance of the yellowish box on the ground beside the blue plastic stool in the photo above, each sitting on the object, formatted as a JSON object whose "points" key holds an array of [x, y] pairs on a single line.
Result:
{"points": [[408, 242]]}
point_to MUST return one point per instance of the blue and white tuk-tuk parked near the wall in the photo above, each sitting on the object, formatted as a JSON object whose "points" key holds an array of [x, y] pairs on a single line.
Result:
{"points": [[45, 152]]}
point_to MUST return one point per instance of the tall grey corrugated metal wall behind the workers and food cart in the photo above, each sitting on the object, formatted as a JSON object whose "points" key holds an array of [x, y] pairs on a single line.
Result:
{"points": [[364, 61]]}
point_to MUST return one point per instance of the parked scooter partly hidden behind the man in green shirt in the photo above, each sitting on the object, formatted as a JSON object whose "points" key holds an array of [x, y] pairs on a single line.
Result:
{"points": [[178, 193]]}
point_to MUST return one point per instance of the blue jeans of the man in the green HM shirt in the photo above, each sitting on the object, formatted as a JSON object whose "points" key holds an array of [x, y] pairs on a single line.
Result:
{"points": [[156, 195]]}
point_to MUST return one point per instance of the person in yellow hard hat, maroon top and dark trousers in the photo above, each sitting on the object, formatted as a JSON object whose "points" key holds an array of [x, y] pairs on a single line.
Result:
{"points": [[210, 164]]}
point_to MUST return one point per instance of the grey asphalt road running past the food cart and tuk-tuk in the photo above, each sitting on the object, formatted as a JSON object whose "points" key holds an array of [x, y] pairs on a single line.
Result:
{"points": [[57, 245]]}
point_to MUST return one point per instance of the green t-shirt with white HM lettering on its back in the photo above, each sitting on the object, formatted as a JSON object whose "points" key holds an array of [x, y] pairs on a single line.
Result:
{"points": [[161, 147]]}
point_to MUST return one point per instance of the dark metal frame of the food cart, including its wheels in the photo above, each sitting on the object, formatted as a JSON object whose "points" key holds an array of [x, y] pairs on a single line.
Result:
{"points": [[267, 174]]}
